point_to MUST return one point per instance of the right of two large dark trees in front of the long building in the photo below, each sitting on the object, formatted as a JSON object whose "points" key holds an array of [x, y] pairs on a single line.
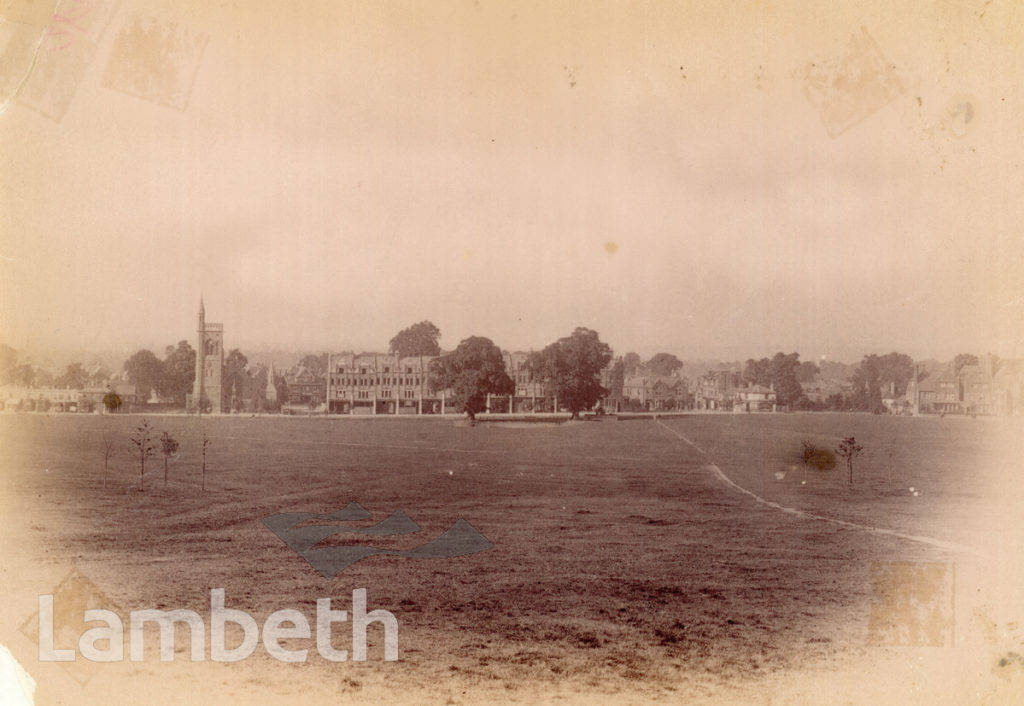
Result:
{"points": [[571, 369]]}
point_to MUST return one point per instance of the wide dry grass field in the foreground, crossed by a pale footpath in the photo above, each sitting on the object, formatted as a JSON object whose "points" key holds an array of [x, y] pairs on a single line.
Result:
{"points": [[625, 567]]}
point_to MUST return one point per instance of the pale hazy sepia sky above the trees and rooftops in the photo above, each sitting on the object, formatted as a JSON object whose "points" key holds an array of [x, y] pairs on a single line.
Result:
{"points": [[662, 173]]}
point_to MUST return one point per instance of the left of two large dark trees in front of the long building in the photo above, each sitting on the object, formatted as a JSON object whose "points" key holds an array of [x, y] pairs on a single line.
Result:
{"points": [[473, 371]]}
